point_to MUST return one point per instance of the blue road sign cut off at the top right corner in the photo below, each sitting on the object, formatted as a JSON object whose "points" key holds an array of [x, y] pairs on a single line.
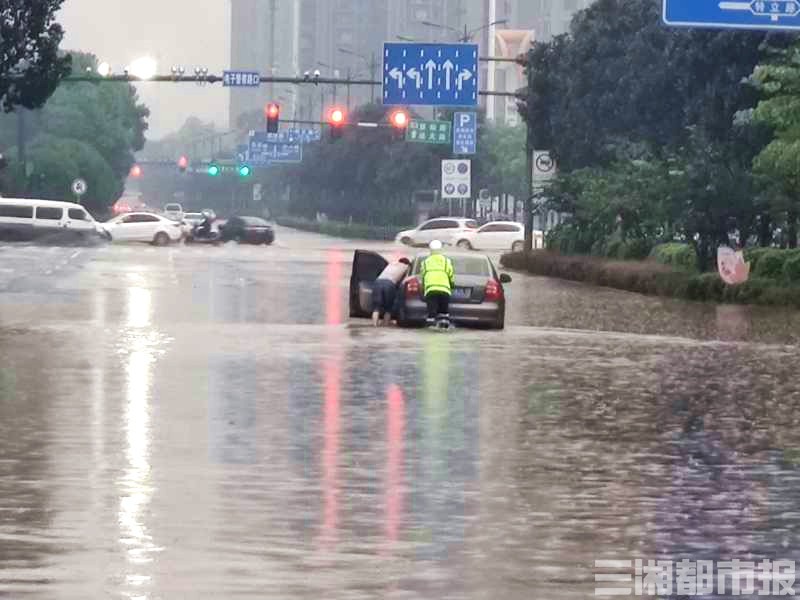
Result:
{"points": [[747, 14]]}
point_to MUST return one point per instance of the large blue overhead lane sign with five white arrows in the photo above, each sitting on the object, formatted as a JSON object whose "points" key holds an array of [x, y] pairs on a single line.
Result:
{"points": [[430, 74]]}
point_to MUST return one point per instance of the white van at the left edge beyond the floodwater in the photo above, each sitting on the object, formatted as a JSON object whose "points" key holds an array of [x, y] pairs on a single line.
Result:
{"points": [[26, 219]]}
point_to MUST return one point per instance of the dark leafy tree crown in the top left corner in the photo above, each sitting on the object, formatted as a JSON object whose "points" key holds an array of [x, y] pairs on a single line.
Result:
{"points": [[30, 65]]}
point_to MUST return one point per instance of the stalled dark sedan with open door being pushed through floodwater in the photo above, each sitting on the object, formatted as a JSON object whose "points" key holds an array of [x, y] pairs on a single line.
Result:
{"points": [[478, 297]]}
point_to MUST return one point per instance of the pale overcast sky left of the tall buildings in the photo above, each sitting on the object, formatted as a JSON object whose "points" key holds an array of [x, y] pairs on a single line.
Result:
{"points": [[175, 32]]}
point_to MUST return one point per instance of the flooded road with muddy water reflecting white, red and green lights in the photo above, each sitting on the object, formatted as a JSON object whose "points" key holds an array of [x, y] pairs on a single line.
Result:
{"points": [[208, 423]]}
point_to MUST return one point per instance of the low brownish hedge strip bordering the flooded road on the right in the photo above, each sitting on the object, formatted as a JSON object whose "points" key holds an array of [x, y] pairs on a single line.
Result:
{"points": [[653, 278]]}
